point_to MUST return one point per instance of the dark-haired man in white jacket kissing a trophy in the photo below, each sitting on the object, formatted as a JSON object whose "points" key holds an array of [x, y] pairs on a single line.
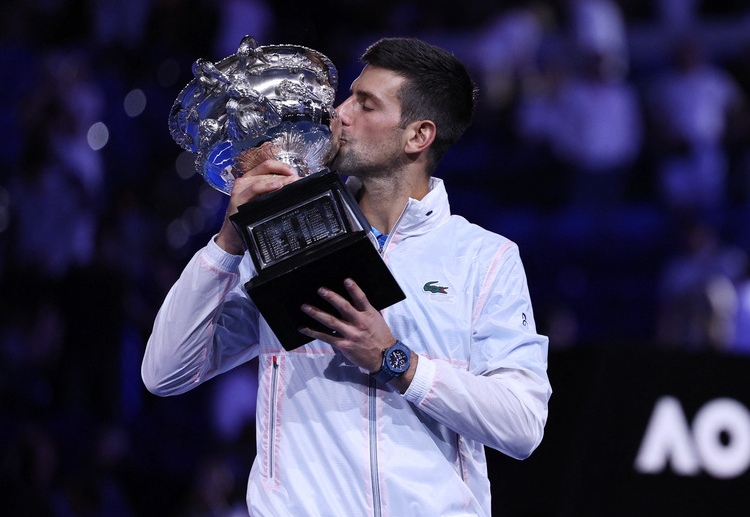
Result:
{"points": [[341, 430]]}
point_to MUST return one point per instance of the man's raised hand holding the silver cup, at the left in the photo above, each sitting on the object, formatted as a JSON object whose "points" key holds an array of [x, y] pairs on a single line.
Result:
{"points": [[265, 176]]}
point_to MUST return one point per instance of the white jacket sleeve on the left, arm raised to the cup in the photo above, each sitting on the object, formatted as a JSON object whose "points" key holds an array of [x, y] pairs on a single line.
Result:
{"points": [[206, 325]]}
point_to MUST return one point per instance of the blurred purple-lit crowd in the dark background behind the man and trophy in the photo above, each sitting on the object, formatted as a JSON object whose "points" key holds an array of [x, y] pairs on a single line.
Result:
{"points": [[611, 143]]}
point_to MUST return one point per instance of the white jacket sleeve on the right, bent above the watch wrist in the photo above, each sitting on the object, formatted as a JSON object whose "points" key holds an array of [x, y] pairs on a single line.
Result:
{"points": [[501, 399]]}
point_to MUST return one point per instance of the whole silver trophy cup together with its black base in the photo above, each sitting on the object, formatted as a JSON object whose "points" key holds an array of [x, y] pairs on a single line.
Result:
{"points": [[276, 101]]}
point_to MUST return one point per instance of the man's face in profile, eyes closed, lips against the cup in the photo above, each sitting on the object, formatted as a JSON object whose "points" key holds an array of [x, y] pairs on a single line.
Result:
{"points": [[371, 142]]}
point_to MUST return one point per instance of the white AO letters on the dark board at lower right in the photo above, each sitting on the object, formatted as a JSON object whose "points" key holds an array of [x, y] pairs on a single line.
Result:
{"points": [[719, 441]]}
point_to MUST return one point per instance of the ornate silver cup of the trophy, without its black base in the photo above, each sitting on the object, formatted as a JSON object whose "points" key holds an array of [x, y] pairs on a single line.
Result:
{"points": [[282, 94]]}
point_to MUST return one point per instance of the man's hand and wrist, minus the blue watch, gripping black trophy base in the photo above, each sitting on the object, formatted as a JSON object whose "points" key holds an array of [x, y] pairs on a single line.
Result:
{"points": [[359, 332]]}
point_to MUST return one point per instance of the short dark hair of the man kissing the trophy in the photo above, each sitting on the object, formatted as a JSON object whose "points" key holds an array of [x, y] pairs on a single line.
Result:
{"points": [[437, 87]]}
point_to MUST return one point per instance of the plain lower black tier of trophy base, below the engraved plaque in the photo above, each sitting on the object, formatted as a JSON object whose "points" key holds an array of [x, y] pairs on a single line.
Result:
{"points": [[280, 293]]}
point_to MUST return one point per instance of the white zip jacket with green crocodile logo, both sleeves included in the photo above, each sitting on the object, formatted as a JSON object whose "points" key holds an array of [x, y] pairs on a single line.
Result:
{"points": [[332, 442]]}
